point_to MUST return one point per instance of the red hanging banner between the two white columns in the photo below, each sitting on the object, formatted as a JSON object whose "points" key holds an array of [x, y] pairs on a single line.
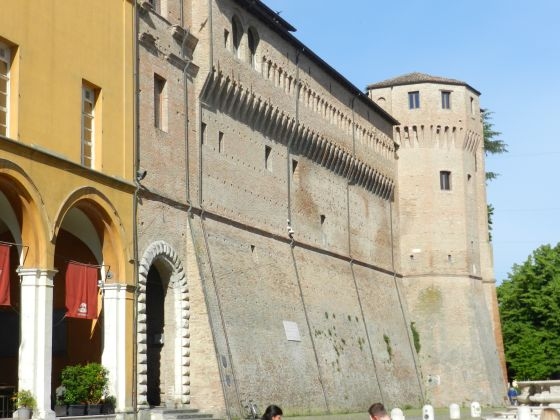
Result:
{"points": [[81, 291]]}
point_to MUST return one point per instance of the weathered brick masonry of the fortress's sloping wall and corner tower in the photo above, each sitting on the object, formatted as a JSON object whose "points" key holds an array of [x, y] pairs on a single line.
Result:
{"points": [[254, 146]]}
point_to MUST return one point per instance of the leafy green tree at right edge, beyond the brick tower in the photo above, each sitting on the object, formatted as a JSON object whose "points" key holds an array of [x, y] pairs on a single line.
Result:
{"points": [[529, 302]]}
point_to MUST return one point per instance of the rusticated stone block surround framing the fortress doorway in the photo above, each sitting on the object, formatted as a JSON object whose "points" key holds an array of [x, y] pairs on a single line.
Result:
{"points": [[162, 254]]}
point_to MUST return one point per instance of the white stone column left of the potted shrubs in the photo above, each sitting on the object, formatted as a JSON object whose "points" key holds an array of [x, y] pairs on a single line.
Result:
{"points": [[35, 351]]}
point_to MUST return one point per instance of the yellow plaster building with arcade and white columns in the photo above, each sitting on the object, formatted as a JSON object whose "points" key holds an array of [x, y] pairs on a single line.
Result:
{"points": [[66, 189]]}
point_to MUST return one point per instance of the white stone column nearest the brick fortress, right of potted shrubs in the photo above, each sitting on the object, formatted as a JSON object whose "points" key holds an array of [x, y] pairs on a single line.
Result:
{"points": [[115, 340]]}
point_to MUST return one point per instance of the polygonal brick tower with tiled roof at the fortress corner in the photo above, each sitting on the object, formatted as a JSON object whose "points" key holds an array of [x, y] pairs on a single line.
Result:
{"points": [[445, 253]]}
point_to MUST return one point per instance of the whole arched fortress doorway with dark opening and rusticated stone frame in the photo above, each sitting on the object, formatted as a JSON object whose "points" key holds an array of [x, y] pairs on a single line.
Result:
{"points": [[163, 329]]}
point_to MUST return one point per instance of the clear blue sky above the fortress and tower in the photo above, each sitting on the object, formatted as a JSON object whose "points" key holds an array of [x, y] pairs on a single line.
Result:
{"points": [[507, 49]]}
